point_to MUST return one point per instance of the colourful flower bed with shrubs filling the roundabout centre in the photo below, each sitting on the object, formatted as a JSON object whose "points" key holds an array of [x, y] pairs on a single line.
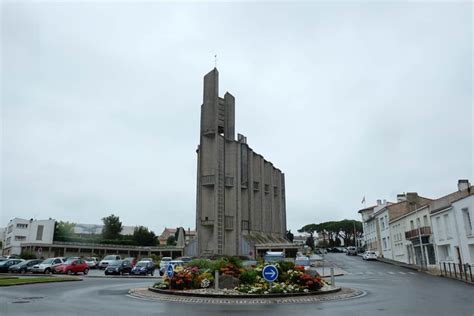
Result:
{"points": [[199, 274]]}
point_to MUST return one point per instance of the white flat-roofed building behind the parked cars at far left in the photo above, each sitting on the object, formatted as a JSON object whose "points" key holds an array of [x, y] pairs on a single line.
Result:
{"points": [[31, 231]]}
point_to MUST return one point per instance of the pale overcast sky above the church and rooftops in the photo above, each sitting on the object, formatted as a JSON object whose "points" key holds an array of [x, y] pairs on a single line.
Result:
{"points": [[101, 104]]}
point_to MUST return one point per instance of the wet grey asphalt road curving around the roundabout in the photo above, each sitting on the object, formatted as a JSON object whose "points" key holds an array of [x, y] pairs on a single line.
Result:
{"points": [[390, 290]]}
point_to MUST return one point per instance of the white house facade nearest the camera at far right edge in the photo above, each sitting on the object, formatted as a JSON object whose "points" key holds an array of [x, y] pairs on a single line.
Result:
{"points": [[453, 232]]}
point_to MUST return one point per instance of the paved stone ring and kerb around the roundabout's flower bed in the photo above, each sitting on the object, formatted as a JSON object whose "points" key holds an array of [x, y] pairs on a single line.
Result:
{"points": [[234, 297]]}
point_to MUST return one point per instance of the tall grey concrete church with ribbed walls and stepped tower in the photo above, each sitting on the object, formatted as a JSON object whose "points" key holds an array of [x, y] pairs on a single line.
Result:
{"points": [[239, 192]]}
